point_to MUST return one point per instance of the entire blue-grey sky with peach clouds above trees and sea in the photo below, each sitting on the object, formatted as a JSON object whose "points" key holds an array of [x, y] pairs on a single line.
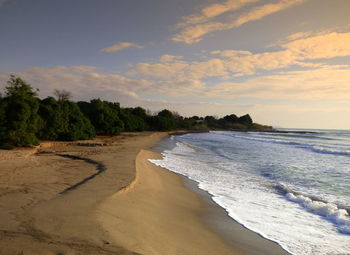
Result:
{"points": [[285, 62]]}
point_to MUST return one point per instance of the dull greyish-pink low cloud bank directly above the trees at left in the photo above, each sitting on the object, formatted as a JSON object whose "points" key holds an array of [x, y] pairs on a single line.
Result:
{"points": [[84, 82]]}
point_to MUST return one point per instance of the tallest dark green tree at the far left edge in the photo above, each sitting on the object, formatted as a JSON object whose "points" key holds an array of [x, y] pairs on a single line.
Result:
{"points": [[19, 121]]}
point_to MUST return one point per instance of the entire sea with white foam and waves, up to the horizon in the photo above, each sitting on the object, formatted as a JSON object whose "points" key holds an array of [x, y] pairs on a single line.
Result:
{"points": [[292, 188]]}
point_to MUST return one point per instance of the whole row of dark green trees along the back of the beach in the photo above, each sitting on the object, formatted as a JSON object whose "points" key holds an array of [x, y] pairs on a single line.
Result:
{"points": [[25, 119]]}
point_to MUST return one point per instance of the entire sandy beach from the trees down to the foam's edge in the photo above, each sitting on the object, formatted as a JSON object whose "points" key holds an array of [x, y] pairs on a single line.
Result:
{"points": [[105, 197]]}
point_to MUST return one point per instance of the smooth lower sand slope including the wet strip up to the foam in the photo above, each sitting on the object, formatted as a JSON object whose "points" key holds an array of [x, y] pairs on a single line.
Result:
{"points": [[223, 234]]}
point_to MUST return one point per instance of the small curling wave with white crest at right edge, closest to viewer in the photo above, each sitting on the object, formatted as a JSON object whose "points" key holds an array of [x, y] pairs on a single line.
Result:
{"points": [[330, 211]]}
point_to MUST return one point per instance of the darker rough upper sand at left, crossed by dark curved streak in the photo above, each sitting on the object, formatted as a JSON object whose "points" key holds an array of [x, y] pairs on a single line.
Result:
{"points": [[36, 218]]}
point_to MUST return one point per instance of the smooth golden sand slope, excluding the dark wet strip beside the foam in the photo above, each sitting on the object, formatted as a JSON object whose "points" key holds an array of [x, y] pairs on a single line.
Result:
{"points": [[165, 215]]}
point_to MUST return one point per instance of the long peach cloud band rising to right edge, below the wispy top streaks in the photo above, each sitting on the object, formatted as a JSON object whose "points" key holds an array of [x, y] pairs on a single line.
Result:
{"points": [[227, 64]]}
